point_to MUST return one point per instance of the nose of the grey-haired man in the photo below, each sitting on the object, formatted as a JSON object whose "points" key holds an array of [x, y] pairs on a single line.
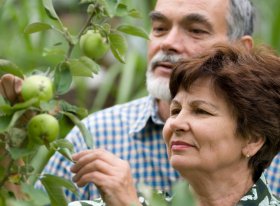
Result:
{"points": [[173, 41]]}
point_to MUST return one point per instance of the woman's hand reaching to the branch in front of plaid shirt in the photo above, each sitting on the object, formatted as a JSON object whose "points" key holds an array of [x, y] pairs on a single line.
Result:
{"points": [[109, 173]]}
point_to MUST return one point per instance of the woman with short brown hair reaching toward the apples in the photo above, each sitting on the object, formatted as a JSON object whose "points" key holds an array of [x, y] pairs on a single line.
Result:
{"points": [[223, 131]]}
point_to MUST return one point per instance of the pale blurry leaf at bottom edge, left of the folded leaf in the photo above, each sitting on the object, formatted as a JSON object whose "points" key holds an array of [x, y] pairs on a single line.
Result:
{"points": [[38, 196]]}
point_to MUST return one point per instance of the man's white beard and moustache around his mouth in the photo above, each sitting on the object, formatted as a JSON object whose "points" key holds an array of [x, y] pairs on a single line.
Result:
{"points": [[158, 87]]}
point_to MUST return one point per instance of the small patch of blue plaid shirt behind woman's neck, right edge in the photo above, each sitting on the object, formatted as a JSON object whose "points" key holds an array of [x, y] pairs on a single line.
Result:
{"points": [[273, 175]]}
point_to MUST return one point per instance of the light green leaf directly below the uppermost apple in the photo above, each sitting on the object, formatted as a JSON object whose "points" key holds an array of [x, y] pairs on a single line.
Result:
{"points": [[83, 66]]}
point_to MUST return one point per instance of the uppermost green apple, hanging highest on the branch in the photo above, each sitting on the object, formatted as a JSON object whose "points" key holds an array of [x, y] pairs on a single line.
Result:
{"points": [[93, 45]]}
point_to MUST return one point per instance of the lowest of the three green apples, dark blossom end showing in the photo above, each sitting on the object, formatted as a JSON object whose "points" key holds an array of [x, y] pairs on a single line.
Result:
{"points": [[43, 129]]}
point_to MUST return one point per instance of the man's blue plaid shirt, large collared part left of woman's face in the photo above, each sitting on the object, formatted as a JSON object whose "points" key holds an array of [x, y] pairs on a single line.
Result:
{"points": [[133, 132]]}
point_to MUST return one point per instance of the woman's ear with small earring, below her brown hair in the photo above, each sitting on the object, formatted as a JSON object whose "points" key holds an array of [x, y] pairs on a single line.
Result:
{"points": [[253, 145]]}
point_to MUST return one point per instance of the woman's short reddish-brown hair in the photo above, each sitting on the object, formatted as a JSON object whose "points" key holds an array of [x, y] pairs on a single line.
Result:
{"points": [[250, 82]]}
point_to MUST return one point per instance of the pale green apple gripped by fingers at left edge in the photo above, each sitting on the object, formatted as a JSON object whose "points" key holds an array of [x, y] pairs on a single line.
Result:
{"points": [[37, 86]]}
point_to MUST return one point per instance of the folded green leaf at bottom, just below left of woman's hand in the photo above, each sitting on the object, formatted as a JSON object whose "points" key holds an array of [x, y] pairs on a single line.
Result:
{"points": [[54, 187]]}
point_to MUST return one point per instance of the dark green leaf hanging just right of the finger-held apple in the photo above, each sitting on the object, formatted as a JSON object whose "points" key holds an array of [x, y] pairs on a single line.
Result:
{"points": [[62, 78]]}
